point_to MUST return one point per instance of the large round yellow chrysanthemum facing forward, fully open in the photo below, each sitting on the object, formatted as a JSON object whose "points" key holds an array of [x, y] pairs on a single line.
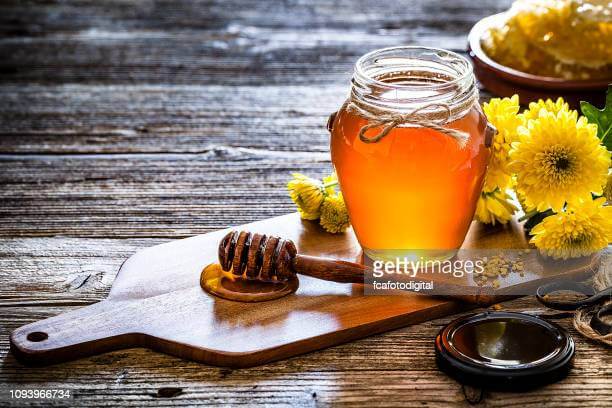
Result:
{"points": [[558, 159]]}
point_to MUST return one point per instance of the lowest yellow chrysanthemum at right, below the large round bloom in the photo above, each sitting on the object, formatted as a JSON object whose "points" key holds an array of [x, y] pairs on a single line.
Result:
{"points": [[584, 228]]}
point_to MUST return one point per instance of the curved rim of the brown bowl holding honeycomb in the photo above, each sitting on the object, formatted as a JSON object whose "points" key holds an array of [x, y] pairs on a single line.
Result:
{"points": [[479, 57]]}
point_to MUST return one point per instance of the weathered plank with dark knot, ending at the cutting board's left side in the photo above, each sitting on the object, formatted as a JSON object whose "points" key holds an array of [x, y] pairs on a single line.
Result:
{"points": [[61, 271]]}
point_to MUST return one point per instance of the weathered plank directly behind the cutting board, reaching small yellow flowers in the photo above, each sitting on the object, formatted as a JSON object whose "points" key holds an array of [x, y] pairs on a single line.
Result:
{"points": [[146, 195]]}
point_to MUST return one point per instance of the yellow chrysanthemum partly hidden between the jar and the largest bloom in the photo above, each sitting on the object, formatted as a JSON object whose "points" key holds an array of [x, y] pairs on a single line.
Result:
{"points": [[503, 114]]}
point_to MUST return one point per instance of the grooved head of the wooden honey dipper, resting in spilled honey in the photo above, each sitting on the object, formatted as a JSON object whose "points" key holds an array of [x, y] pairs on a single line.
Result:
{"points": [[257, 256]]}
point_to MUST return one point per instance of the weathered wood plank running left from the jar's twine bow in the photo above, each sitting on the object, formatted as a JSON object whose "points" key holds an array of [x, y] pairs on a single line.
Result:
{"points": [[166, 118]]}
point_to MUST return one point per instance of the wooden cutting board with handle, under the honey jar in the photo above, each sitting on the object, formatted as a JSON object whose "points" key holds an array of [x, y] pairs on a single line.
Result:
{"points": [[156, 302]]}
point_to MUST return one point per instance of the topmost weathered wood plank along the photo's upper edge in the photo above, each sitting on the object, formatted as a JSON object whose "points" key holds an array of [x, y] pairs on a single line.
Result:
{"points": [[37, 17]]}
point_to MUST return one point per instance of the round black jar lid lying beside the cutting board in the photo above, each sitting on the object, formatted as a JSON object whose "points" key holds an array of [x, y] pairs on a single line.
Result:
{"points": [[504, 350]]}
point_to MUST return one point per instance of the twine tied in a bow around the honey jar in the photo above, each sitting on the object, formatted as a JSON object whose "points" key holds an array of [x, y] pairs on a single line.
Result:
{"points": [[417, 117]]}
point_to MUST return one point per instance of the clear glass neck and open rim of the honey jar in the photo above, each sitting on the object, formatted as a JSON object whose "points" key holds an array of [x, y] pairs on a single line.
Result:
{"points": [[405, 79]]}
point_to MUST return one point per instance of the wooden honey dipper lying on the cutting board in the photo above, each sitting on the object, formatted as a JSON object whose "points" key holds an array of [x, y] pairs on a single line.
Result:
{"points": [[272, 259]]}
